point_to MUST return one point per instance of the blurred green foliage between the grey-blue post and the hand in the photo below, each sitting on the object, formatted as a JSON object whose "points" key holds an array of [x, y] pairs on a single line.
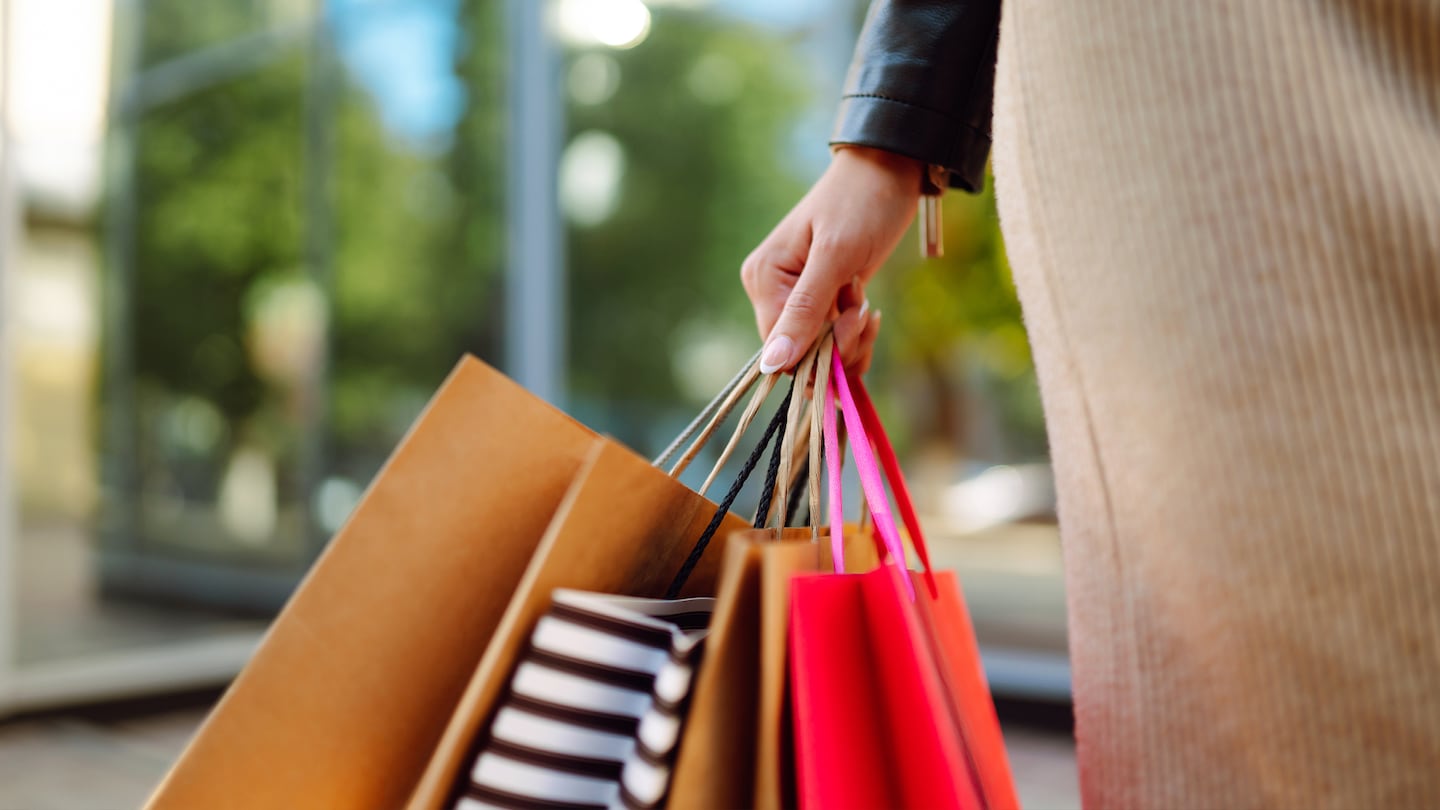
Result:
{"points": [[705, 113]]}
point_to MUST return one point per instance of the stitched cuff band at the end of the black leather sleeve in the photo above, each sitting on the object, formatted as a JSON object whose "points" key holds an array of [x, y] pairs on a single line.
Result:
{"points": [[925, 135]]}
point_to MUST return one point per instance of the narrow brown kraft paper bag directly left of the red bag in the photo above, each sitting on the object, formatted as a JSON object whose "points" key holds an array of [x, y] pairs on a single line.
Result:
{"points": [[735, 752]]}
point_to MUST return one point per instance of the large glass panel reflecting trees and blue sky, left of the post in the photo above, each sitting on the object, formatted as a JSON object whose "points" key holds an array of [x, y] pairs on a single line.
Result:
{"points": [[305, 270]]}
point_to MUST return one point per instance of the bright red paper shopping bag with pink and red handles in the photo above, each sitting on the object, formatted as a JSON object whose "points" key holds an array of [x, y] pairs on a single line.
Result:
{"points": [[925, 734]]}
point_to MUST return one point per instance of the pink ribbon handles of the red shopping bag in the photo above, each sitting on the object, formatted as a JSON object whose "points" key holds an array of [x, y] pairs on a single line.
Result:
{"points": [[869, 471]]}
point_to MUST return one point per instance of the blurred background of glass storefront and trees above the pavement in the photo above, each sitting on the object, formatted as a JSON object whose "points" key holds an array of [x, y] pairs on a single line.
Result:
{"points": [[244, 241]]}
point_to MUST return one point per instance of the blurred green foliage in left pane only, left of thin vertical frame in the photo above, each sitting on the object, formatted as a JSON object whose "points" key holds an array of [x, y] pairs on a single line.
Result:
{"points": [[218, 181]]}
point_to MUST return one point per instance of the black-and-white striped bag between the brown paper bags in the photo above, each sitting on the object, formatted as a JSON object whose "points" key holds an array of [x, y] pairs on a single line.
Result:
{"points": [[595, 707]]}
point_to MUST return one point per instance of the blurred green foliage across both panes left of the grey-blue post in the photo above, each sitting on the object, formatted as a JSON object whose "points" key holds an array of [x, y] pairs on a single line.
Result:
{"points": [[221, 241]]}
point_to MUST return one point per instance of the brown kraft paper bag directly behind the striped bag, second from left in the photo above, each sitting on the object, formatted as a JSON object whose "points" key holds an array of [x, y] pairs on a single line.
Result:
{"points": [[624, 528]]}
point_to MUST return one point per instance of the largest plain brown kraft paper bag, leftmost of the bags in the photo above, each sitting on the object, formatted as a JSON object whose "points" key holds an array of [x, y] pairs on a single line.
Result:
{"points": [[356, 681]]}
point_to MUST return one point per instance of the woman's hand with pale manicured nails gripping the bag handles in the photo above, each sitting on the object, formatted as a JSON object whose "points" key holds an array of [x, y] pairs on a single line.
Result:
{"points": [[816, 263]]}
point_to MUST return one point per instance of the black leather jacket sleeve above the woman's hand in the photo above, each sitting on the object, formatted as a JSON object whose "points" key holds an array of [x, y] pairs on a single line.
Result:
{"points": [[922, 84]]}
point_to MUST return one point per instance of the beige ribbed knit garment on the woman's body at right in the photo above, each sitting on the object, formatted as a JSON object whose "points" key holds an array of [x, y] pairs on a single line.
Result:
{"points": [[1225, 224]]}
